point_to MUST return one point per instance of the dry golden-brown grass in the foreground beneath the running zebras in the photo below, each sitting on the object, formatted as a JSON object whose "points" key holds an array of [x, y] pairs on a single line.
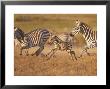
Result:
{"points": [[60, 65]]}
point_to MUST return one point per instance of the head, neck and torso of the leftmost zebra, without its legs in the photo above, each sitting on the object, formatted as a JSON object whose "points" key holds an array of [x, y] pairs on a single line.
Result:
{"points": [[37, 37]]}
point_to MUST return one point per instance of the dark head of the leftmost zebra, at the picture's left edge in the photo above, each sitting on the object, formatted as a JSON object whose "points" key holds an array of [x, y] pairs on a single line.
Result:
{"points": [[18, 34]]}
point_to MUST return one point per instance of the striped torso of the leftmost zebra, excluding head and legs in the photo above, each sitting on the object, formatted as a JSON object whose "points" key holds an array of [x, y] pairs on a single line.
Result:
{"points": [[37, 37]]}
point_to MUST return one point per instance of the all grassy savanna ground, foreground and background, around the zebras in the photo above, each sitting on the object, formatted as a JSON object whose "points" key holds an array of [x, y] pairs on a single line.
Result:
{"points": [[61, 64]]}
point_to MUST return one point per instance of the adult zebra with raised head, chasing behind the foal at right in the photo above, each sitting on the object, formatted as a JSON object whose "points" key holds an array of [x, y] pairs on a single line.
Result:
{"points": [[89, 35]]}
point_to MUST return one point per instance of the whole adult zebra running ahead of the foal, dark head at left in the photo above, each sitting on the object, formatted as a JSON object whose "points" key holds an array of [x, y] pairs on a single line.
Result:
{"points": [[37, 37]]}
